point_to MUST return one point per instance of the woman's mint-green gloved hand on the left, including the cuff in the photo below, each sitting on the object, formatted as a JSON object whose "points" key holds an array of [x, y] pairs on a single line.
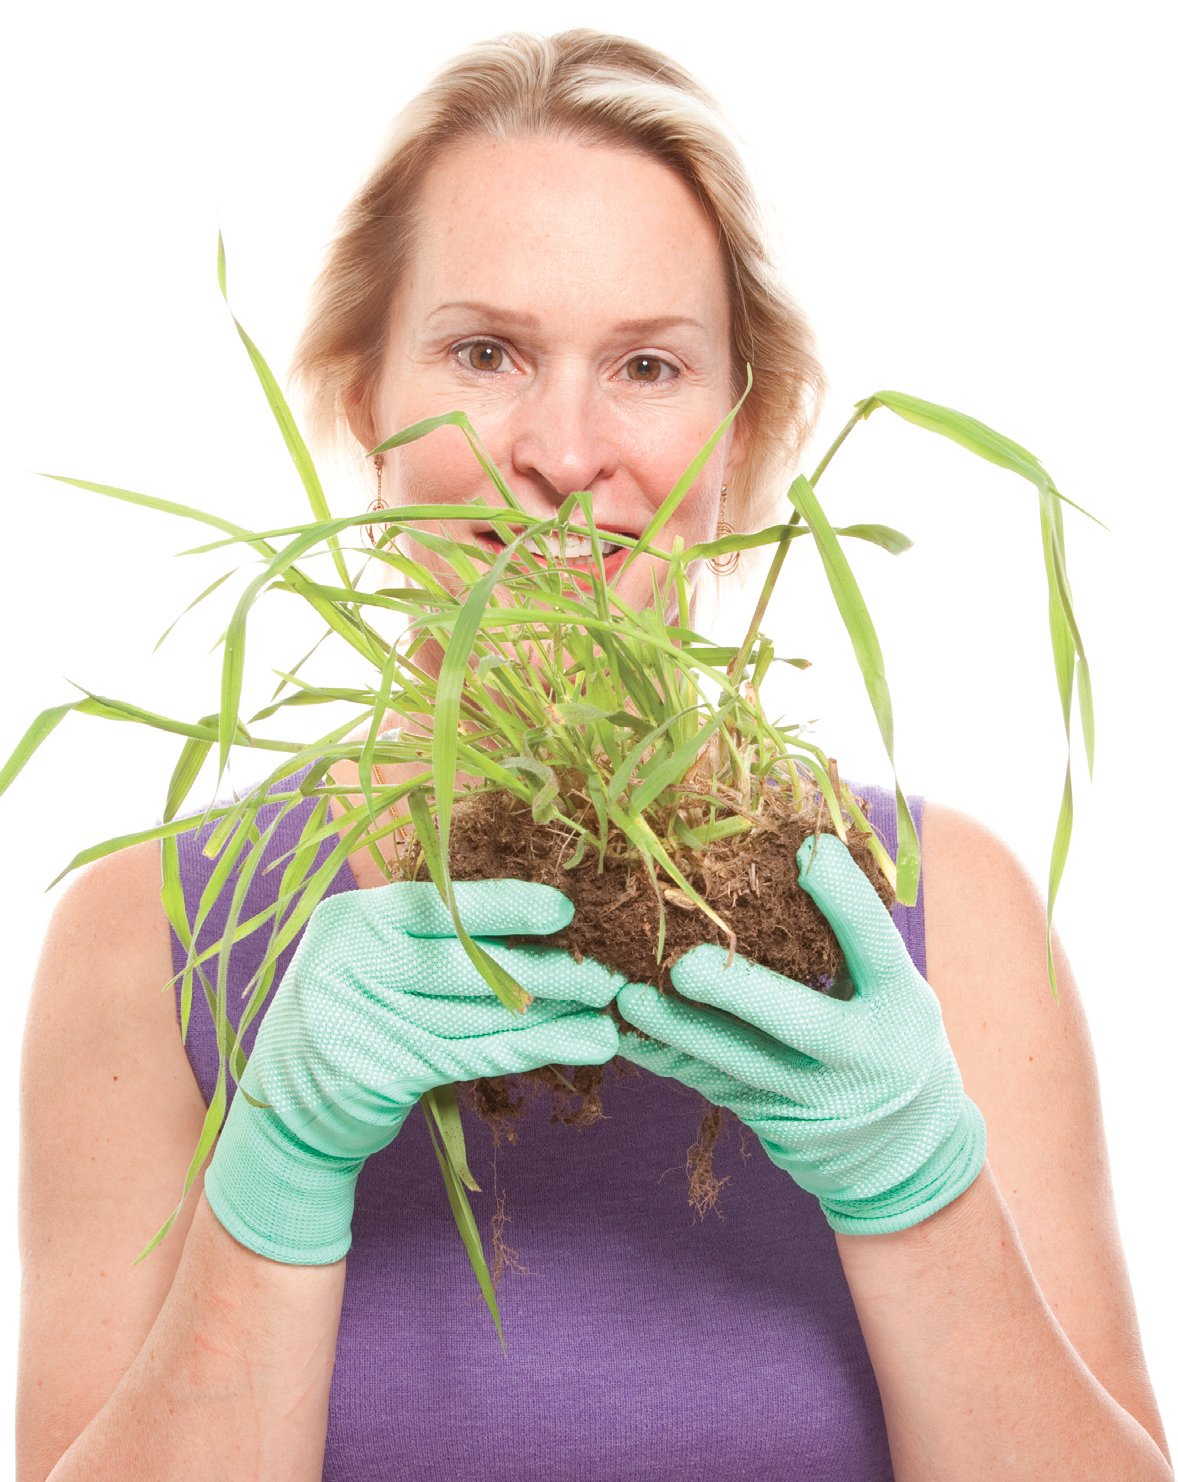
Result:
{"points": [[380, 1006]]}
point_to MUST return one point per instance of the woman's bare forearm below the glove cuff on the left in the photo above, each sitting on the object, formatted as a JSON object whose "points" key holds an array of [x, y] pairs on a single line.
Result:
{"points": [[235, 1376]]}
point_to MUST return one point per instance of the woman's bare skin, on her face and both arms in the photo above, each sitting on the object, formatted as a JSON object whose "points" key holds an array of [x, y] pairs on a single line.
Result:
{"points": [[210, 1360]]}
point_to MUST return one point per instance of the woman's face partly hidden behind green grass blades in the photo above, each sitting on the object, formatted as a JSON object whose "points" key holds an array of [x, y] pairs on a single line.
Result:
{"points": [[571, 300]]}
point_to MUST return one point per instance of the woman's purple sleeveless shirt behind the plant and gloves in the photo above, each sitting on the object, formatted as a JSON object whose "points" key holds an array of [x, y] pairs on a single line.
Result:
{"points": [[642, 1343]]}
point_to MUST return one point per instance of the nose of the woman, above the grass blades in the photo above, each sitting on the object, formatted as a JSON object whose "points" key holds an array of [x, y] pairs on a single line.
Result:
{"points": [[564, 433]]}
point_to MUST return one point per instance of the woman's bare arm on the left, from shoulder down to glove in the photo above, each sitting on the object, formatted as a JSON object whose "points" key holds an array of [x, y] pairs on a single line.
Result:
{"points": [[205, 1360]]}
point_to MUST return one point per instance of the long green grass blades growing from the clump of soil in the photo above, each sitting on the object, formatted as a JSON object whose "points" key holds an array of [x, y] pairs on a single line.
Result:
{"points": [[623, 724]]}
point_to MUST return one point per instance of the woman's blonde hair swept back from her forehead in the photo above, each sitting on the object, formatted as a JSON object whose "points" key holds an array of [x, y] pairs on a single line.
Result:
{"points": [[598, 90]]}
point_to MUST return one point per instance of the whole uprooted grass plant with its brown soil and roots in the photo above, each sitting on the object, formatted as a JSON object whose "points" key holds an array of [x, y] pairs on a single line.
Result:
{"points": [[611, 752]]}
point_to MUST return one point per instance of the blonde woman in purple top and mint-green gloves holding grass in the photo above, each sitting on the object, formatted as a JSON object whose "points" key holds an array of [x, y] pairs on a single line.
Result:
{"points": [[564, 245]]}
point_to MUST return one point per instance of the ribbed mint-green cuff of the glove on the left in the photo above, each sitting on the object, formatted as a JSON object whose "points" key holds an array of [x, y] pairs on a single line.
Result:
{"points": [[276, 1195]]}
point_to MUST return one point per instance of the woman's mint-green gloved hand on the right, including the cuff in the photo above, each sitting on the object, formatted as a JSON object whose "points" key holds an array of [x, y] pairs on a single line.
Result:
{"points": [[860, 1100]]}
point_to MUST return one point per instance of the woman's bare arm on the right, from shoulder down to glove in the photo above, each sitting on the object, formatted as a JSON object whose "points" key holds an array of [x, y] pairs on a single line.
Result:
{"points": [[1002, 1330]]}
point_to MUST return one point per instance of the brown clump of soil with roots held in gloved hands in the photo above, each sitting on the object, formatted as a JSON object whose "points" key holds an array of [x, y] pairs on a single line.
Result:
{"points": [[749, 880]]}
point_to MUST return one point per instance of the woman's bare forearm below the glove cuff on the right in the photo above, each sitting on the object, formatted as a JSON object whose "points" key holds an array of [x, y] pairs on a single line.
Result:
{"points": [[976, 1375]]}
